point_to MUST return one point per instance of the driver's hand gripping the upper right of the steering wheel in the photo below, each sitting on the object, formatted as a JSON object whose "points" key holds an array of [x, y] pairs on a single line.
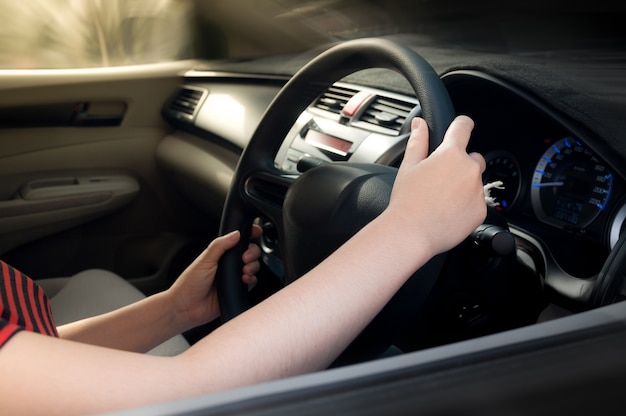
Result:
{"points": [[445, 209]]}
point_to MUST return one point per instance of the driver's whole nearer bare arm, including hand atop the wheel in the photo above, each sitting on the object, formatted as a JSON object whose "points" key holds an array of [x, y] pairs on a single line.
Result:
{"points": [[301, 328]]}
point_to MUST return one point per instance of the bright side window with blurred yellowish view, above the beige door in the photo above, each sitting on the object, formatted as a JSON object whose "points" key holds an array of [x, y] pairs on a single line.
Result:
{"points": [[38, 34]]}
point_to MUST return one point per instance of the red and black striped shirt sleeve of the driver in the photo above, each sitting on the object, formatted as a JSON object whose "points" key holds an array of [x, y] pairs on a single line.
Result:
{"points": [[23, 305]]}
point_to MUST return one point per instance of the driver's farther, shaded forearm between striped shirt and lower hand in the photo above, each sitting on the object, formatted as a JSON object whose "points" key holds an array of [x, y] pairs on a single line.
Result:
{"points": [[138, 327]]}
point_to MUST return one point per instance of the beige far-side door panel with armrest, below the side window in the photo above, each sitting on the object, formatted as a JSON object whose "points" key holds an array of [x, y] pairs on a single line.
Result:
{"points": [[79, 183]]}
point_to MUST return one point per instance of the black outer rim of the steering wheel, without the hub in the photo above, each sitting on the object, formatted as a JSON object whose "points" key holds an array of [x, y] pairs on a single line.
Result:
{"points": [[306, 85]]}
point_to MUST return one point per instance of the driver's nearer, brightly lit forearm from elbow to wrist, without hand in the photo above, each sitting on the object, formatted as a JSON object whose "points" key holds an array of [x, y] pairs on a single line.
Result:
{"points": [[309, 323]]}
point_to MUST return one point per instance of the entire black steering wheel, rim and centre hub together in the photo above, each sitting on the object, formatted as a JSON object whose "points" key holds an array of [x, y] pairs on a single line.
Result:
{"points": [[310, 227]]}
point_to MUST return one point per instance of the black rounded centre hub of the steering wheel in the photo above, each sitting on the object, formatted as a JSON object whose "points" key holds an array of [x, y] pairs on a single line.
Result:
{"points": [[326, 206]]}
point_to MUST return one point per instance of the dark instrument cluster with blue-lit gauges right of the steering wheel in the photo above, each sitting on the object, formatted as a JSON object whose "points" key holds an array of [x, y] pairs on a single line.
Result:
{"points": [[556, 188]]}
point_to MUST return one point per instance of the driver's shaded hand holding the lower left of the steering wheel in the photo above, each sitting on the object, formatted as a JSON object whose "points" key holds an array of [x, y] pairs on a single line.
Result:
{"points": [[194, 294]]}
